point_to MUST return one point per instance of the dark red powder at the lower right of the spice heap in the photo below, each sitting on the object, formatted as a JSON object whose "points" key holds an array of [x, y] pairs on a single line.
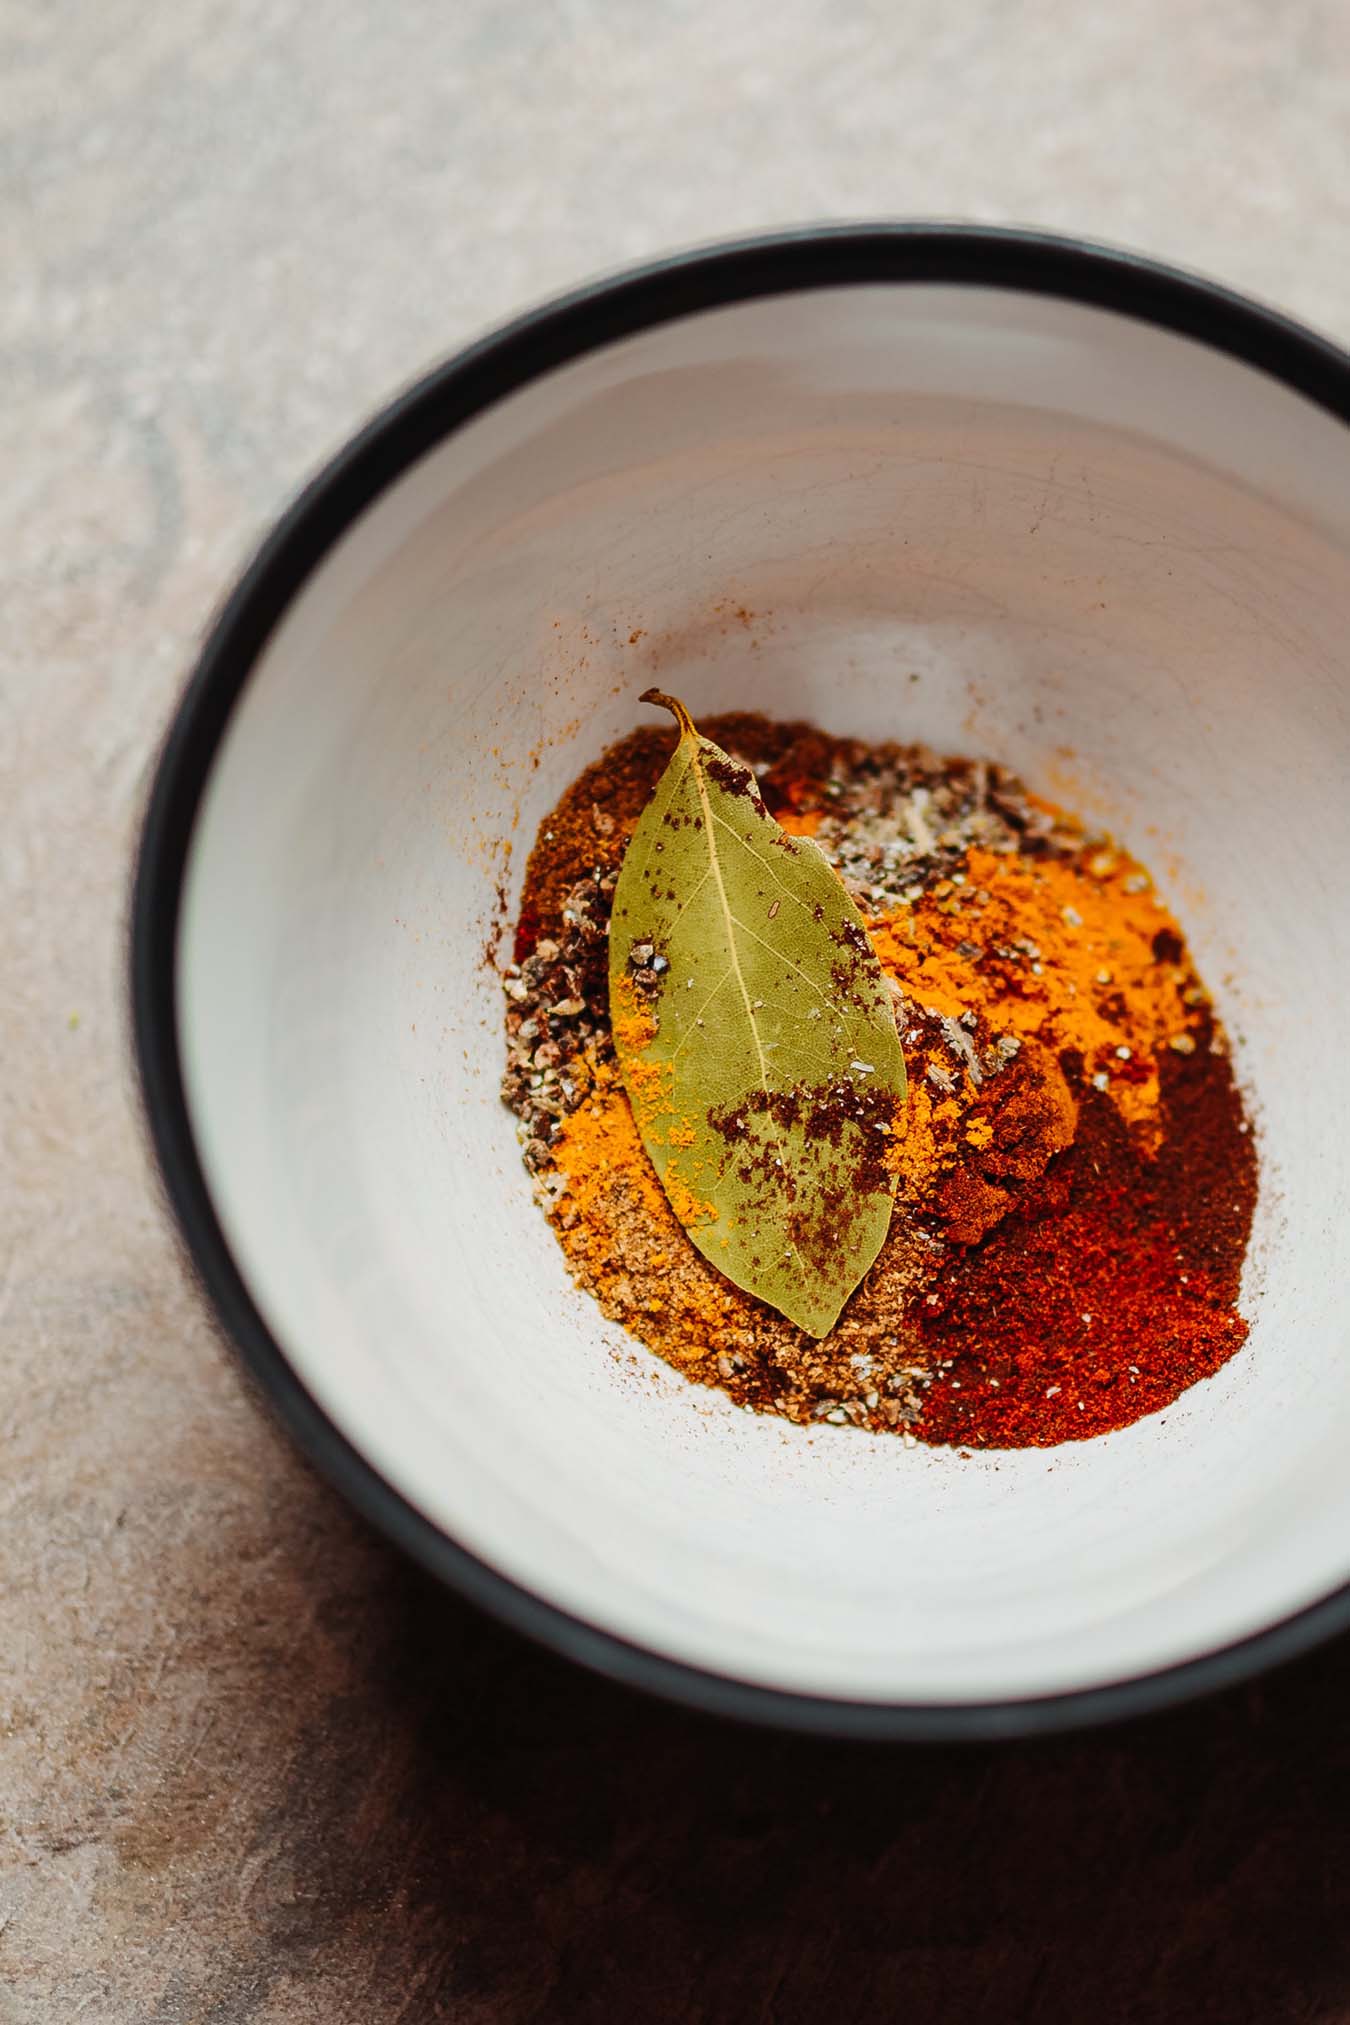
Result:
{"points": [[1110, 1289]]}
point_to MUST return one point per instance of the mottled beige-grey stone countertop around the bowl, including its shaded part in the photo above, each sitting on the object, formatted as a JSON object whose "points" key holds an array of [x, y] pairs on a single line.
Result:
{"points": [[252, 1769]]}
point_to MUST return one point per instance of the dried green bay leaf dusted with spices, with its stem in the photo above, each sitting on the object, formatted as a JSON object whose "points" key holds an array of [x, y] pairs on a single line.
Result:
{"points": [[756, 1038]]}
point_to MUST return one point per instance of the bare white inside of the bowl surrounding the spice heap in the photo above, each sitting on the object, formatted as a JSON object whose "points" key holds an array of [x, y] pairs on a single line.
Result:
{"points": [[993, 521]]}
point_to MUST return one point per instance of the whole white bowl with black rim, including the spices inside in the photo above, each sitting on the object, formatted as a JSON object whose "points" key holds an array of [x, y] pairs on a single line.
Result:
{"points": [[1009, 1400]]}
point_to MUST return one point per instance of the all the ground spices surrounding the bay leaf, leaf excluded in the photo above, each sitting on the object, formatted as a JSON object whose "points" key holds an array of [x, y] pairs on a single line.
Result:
{"points": [[1076, 1176]]}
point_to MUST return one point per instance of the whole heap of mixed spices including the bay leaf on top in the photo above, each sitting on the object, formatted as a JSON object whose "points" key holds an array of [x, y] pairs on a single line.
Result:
{"points": [[875, 1090]]}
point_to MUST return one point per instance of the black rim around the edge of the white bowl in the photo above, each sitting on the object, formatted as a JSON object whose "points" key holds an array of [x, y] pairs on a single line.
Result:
{"points": [[452, 394]]}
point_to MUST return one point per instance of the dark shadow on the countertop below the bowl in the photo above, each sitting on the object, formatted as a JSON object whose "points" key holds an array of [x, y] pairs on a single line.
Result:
{"points": [[503, 1838]]}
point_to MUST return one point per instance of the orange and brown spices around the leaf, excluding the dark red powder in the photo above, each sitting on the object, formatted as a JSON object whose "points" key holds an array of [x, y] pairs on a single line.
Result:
{"points": [[1035, 973]]}
